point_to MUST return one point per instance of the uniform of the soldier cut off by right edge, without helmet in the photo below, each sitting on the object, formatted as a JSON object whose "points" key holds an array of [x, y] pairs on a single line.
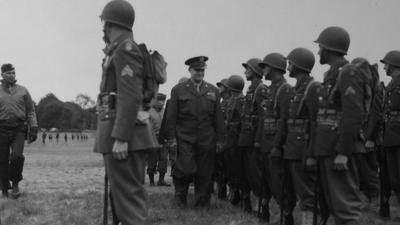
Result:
{"points": [[391, 138]]}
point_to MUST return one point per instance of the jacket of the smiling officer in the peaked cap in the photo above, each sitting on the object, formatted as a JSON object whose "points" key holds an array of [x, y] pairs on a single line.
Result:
{"points": [[195, 116]]}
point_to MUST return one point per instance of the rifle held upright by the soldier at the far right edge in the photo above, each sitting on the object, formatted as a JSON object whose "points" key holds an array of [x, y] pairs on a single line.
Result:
{"points": [[385, 190]]}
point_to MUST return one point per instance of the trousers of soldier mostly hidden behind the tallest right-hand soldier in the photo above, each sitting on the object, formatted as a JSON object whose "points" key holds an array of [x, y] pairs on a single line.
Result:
{"points": [[367, 164]]}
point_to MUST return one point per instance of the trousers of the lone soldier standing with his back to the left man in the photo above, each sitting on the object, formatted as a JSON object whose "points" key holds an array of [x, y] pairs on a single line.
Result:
{"points": [[126, 184]]}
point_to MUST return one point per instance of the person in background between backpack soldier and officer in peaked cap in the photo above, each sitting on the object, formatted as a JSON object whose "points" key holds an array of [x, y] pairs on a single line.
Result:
{"points": [[158, 157]]}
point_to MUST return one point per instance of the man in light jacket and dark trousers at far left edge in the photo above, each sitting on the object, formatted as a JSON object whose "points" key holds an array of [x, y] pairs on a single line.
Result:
{"points": [[17, 122]]}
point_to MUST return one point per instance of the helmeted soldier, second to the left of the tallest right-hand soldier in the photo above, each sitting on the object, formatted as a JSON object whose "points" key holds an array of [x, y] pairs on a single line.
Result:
{"points": [[271, 135]]}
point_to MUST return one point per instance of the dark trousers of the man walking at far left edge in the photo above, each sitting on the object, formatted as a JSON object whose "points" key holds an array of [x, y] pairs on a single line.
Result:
{"points": [[11, 165]]}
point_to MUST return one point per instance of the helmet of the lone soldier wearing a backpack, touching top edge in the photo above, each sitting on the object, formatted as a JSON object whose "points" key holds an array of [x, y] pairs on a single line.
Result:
{"points": [[119, 12]]}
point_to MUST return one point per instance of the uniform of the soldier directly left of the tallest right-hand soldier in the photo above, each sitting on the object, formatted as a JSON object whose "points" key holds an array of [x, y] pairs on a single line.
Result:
{"points": [[303, 110]]}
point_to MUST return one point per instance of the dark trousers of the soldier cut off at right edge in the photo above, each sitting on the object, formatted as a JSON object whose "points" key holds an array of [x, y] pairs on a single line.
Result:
{"points": [[393, 165]]}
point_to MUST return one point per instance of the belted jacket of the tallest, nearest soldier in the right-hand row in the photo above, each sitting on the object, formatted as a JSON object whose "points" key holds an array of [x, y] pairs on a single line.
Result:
{"points": [[341, 112]]}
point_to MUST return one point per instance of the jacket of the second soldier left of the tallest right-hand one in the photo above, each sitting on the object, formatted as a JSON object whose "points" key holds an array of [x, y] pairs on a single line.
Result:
{"points": [[271, 130]]}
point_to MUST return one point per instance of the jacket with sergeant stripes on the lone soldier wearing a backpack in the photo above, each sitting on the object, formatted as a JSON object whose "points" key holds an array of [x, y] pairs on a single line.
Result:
{"points": [[120, 99]]}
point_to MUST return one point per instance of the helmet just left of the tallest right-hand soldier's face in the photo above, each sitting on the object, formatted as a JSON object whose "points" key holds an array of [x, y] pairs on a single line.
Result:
{"points": [[302, 58]]}
